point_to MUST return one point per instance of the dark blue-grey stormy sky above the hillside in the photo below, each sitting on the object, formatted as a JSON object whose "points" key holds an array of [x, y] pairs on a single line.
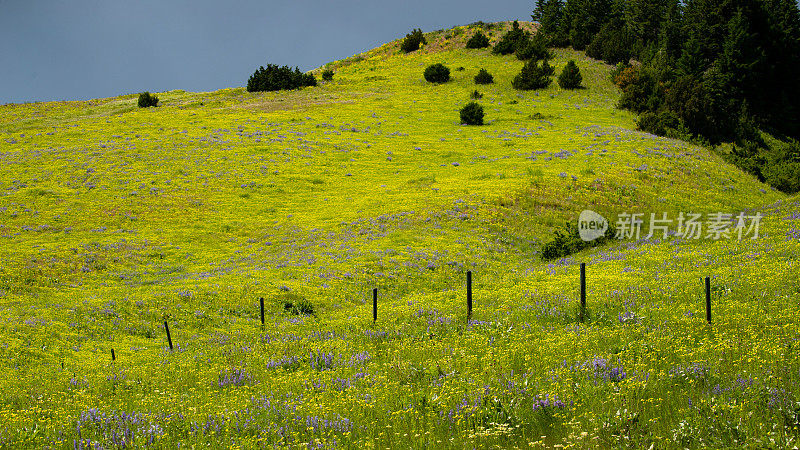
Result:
{"points": [[81, 49]]}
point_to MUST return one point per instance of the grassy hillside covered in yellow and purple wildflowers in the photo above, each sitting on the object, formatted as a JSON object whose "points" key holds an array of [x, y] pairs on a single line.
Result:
{"points": [[115, 219]]}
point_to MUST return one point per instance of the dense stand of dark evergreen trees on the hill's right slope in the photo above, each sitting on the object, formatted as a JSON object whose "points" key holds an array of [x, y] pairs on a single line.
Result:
{"points": [[711, 71]]}
